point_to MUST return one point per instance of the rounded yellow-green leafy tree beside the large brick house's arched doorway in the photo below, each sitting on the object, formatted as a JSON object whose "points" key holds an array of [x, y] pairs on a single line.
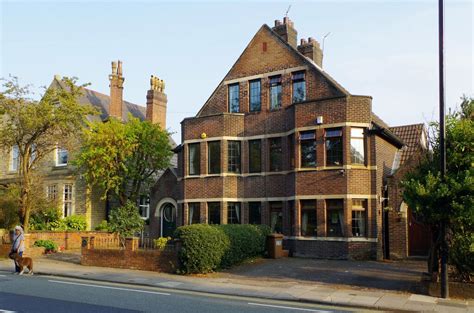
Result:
{"points": [[123, 159]]}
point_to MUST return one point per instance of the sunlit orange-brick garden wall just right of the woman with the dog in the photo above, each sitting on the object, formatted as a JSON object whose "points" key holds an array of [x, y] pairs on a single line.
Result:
{"points": [[70, 240]]}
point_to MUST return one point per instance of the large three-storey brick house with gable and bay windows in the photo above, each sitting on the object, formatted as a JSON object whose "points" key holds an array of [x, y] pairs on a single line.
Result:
{"points": [[280, 142]]}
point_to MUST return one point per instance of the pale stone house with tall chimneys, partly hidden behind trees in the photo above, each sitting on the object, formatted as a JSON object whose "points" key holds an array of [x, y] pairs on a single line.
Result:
{"points": [[60, 180]]}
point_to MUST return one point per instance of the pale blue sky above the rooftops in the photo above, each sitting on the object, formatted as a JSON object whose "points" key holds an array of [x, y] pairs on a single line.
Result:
{"points": [[385, 49]]}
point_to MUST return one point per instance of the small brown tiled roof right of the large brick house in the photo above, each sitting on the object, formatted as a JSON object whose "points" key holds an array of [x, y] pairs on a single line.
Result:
{"points": [[414, 137]]}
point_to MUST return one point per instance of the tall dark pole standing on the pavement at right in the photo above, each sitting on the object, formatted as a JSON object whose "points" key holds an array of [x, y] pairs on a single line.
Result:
{"points": [[442, 148]]}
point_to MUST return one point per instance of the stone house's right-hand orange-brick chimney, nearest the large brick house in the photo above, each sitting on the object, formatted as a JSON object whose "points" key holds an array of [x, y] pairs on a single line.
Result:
{"points": [[156, 102]]}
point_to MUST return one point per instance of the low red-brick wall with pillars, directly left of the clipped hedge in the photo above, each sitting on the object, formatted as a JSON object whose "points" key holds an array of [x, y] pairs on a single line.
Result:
{"points": [[131, 257]]}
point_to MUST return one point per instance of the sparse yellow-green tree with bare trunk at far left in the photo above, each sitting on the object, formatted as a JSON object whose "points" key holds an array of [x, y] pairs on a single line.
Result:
{"points": [[35, 128]]}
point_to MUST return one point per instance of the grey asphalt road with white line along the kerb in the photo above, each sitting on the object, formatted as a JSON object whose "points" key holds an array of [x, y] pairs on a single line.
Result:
{"points": [[54, 294]]}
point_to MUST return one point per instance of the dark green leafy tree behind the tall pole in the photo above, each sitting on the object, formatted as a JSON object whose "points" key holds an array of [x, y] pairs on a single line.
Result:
{"points": [[450, 200]]}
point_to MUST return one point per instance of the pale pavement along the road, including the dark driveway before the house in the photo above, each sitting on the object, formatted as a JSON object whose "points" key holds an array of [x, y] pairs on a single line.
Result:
{"points": [[359, 284]]}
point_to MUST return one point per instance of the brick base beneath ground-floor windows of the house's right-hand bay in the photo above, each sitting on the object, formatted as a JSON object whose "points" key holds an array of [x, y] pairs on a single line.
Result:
{"points": [[325, 249]]}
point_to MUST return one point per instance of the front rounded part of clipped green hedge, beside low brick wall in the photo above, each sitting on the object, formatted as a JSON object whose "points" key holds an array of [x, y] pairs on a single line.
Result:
{"points": [[202, 248]]}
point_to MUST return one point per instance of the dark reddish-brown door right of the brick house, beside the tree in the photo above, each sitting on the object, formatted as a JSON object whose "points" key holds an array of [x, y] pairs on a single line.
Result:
{"points": [[419, 236]]}
